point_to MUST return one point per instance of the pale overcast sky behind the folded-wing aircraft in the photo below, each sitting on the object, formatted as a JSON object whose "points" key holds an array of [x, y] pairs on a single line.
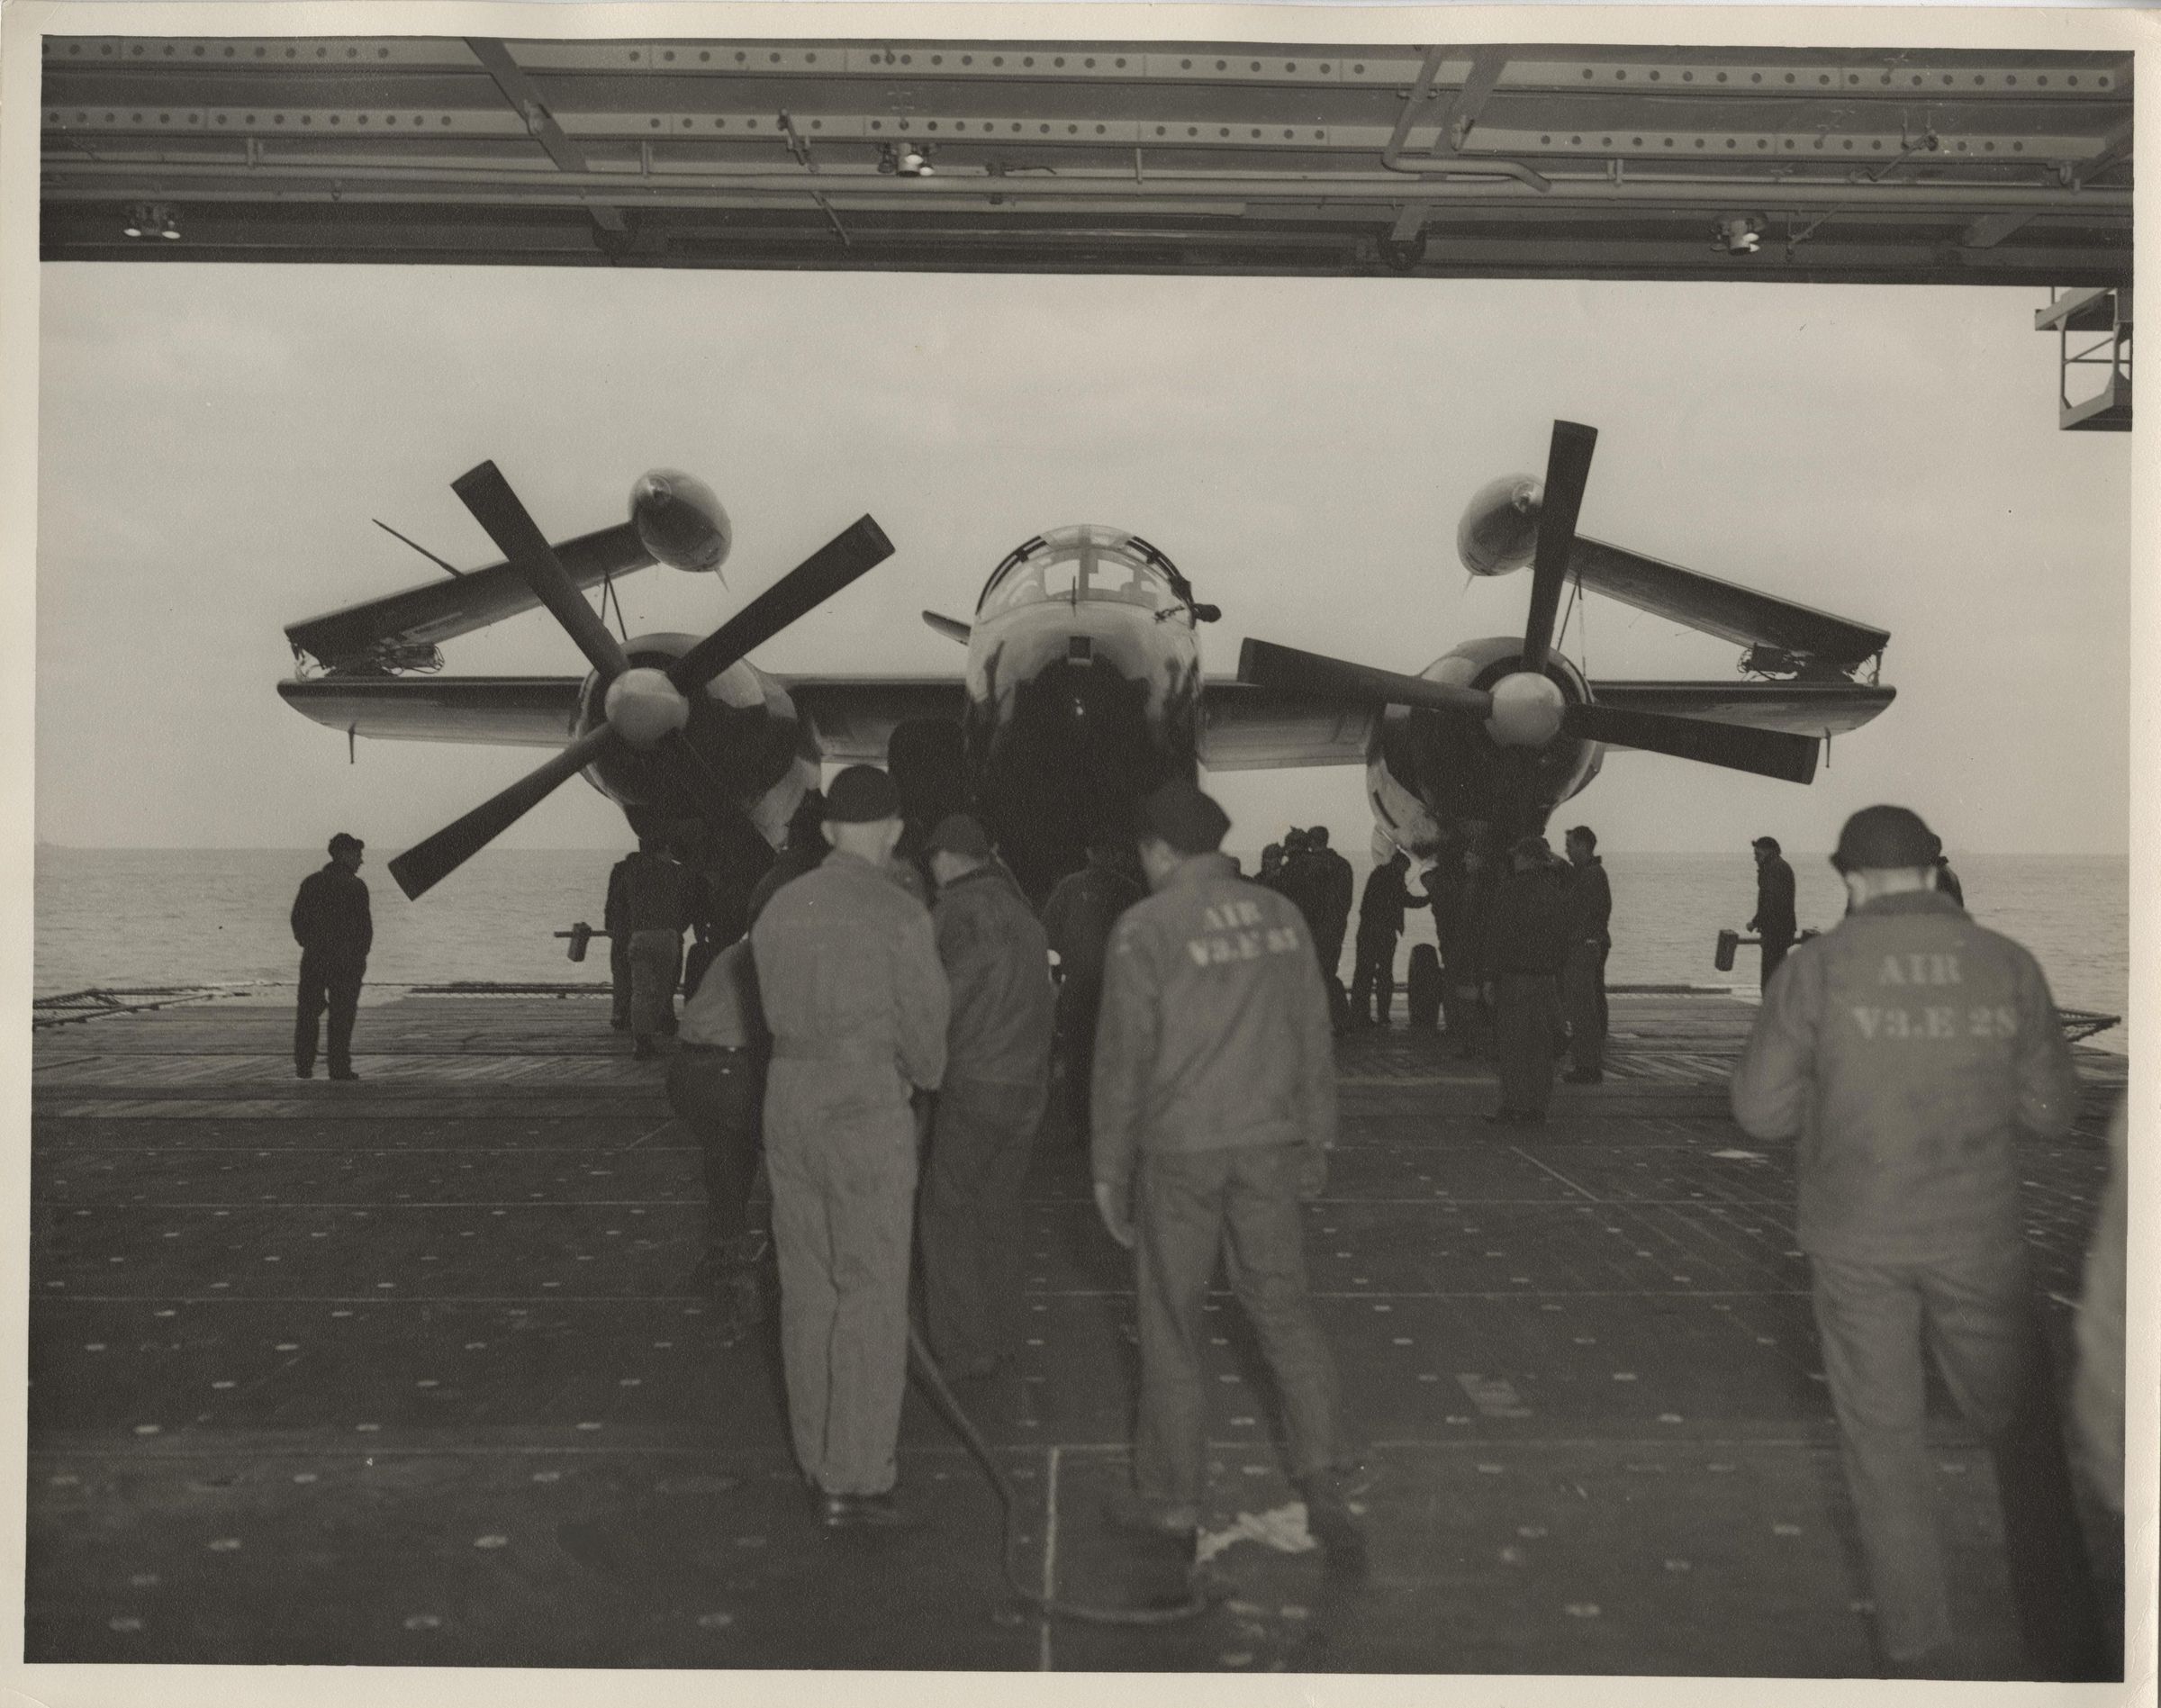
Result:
{"points": [[215, 442]]}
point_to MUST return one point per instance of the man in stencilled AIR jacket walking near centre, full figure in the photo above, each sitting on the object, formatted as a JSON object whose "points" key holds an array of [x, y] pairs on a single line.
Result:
{"points": [[1216, 1108]]}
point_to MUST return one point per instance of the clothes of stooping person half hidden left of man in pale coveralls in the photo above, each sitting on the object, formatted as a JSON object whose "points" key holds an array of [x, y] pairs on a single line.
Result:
{"points": [[716, 1086]]}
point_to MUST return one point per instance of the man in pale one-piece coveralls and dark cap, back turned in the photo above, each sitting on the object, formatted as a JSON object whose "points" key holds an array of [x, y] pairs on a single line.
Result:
{"points": [[857, 1004]]}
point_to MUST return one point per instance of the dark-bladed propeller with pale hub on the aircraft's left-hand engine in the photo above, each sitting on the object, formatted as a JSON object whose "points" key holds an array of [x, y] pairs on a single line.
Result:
{"points": [[645, 710]]}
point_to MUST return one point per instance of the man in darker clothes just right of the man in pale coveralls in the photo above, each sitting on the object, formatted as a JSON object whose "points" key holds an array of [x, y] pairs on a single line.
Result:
{"points": [[997, 965]]}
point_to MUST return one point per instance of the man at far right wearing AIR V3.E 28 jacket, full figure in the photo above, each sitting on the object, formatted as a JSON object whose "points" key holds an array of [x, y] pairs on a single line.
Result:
{"points": [[1903, 1052]]}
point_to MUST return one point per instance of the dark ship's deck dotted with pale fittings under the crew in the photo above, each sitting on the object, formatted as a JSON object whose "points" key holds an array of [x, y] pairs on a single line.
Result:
{"points": [[410, 1372]]}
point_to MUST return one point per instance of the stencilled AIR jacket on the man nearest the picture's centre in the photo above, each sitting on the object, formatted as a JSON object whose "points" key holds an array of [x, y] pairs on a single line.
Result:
{"points": [[1213, 1028]]}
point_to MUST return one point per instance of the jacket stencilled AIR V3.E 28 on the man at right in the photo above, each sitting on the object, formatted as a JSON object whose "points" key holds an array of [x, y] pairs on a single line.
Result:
{"points": [[1905, 1052]]}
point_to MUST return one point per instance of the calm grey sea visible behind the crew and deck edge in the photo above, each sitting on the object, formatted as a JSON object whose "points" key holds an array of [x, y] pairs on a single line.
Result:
{"points": [[133, 918]]}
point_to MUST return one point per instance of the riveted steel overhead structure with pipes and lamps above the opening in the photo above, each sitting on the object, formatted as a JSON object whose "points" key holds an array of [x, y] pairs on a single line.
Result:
{"points": [[1095, 157]]}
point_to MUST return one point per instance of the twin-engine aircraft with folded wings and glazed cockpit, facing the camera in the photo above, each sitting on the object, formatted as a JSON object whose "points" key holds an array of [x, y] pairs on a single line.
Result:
{"points": [[1082, 691]]}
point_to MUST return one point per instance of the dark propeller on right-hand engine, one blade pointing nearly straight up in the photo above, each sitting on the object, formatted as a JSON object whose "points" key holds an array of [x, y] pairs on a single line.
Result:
{"points": [[1527, 708]]}
